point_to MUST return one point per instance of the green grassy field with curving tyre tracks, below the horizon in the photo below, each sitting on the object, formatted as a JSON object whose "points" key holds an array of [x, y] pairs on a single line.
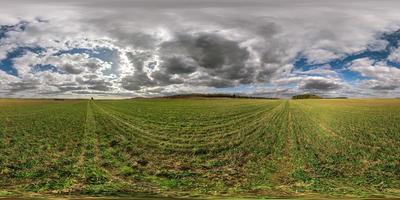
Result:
{"points": [[194, 147]]}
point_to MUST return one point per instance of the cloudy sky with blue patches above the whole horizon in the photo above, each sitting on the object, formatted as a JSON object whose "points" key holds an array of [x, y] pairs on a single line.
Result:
{"points": [[146, 48]]}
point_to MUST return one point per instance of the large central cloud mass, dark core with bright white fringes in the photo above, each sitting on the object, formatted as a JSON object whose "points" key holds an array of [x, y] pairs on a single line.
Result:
{"points": [[199, 59]]}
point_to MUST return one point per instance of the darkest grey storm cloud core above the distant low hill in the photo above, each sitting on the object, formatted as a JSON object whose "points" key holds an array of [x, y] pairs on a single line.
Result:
{"points": [[212, 55]]}
